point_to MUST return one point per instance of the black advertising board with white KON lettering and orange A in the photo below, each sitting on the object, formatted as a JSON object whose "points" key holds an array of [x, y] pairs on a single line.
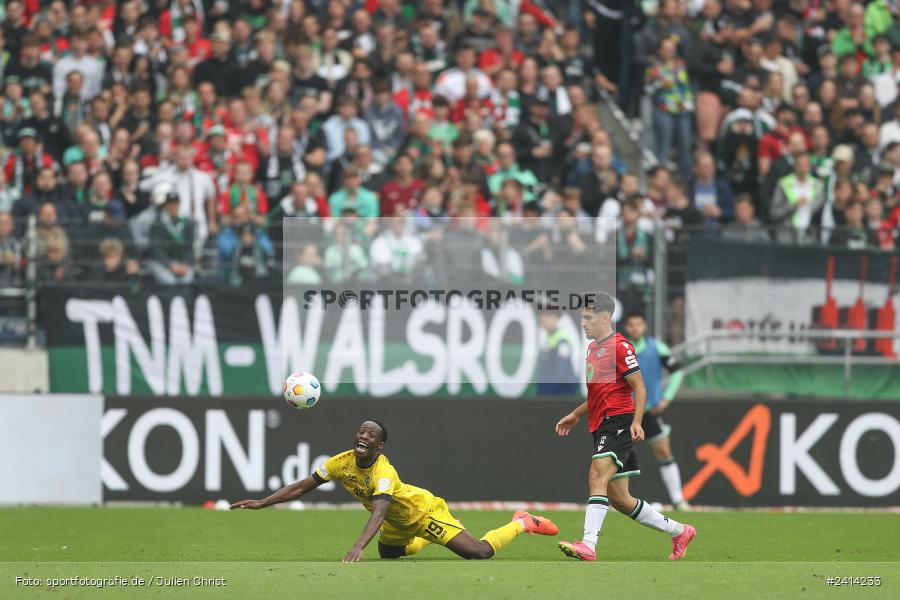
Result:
{"points": [[734, 453]]}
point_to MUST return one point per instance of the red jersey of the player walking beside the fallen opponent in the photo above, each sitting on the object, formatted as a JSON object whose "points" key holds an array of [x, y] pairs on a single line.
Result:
{"points": [[609, 362]]}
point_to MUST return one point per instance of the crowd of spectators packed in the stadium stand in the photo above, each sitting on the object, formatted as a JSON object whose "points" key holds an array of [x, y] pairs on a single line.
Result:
{"points": [[149, 138]]}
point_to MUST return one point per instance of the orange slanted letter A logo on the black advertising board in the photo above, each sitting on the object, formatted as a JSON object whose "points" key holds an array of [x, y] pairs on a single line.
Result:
{"points": [[746, 482]]}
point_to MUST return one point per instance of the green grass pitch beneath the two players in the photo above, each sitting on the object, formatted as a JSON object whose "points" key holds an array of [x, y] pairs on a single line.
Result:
{"points": [[297, 553]]}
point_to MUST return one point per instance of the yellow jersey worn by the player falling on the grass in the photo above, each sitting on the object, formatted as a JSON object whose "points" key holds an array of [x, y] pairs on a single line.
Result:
{"points": [[409, 504]]}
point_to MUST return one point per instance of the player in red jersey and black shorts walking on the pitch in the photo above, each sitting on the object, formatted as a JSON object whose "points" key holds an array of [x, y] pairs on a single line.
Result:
{"points": [[615, 405]]}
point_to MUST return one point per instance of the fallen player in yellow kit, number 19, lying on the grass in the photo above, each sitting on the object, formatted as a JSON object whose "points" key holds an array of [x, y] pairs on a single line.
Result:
{"points": [[407, 517]]}
